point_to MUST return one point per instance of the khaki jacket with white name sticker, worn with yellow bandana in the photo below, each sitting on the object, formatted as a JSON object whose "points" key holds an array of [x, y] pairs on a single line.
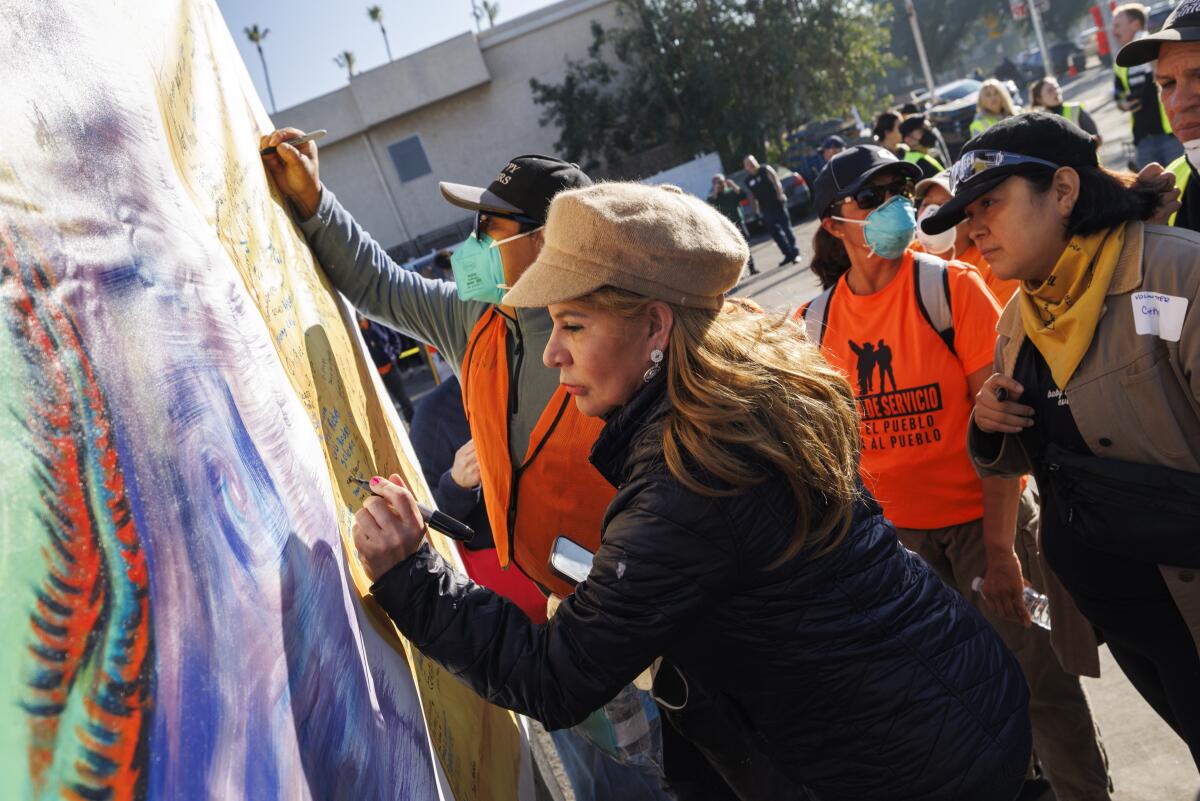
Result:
{"points": [[1135, 398]]}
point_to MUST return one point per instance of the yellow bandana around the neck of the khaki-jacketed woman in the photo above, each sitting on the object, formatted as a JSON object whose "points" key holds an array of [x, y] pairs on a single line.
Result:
{"points": [[1061, 315]]}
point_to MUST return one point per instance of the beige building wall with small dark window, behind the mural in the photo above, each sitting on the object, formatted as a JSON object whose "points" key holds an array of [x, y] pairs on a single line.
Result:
{"points": [[469, 100]]}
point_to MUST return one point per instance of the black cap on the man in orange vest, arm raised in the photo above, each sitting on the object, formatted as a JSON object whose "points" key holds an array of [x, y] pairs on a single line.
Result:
{"points": [[525, 186]]}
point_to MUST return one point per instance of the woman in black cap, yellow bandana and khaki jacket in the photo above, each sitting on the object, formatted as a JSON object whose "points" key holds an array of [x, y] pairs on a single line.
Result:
{"points": [[1097, 393]]}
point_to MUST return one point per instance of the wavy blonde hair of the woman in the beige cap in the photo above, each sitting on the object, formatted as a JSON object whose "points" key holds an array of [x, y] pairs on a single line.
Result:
{"points": [[752, 396]]}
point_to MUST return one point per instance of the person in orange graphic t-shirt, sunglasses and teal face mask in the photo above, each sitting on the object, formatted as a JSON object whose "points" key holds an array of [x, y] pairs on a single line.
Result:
{"points": [[917, 336]]}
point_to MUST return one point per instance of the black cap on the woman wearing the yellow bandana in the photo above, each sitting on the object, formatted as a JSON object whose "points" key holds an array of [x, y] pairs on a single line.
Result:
{"points": [[1017, 146]]}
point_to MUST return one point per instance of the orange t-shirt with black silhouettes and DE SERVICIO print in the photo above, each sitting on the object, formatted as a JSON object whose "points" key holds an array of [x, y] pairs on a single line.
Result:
{"points": [[913, 393]]}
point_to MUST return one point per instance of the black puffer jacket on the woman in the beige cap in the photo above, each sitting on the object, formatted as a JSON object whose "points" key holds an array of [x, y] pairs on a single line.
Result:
{"points": [[867, 678]]}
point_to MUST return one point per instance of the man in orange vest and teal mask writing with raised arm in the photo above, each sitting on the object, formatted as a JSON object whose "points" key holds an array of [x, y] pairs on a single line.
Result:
{"points": [[532, 444]]}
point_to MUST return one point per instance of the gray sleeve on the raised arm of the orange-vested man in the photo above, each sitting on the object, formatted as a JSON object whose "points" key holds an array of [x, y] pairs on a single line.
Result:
{"points": [[381, 290]]}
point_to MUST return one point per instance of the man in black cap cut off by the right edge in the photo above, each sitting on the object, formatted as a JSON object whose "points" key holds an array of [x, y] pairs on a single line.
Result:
{"points": [[1175, 55]]}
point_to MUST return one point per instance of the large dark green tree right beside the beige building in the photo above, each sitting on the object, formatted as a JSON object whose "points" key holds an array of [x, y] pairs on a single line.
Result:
{"points": [[730, 76]]}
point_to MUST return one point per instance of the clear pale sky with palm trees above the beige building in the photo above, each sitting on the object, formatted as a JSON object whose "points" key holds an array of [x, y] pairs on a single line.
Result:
{"points": [[305, 35]]}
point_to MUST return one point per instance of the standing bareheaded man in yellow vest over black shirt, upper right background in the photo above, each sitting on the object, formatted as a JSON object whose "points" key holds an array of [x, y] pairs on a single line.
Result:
{"points": [[1137, 93]]}
